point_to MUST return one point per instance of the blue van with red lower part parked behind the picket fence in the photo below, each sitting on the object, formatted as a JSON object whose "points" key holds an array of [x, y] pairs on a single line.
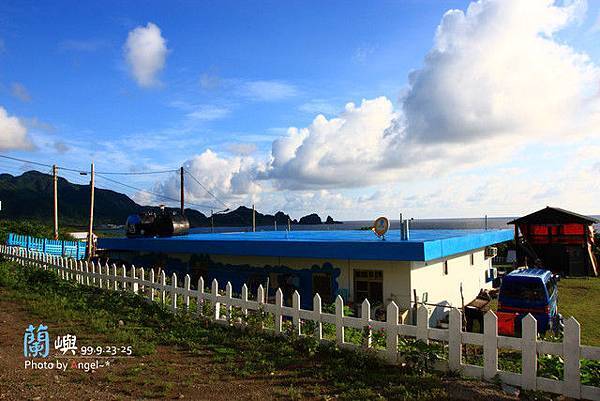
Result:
{"points": [[526, 291]]}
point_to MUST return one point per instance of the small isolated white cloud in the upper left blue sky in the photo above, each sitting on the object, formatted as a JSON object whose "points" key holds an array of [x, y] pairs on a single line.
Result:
{"points": [[145, 53]]}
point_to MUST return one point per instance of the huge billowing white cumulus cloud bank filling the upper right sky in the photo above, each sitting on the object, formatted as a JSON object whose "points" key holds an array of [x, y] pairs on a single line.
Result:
{"points": [[495, 78]]}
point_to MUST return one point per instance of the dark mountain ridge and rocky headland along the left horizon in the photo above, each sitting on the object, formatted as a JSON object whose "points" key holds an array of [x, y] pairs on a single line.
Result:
{"points": [[29, 196]]}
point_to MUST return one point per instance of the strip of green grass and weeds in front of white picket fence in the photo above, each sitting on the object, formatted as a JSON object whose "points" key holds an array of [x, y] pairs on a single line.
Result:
{"points": [[128, 319]]}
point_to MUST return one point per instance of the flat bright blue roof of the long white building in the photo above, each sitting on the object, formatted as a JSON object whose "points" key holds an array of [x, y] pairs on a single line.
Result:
{"points": [[424, 245]]}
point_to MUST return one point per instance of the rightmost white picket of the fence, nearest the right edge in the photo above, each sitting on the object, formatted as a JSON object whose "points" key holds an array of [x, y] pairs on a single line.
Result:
{"points": [[571, 353]]}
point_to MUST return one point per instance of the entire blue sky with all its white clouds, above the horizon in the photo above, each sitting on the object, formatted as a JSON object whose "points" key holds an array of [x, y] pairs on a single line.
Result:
{"points": [[218, 82]]}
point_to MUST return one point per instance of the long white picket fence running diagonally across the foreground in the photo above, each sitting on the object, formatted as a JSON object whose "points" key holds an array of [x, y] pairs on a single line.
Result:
{"points": [[157, 289]]}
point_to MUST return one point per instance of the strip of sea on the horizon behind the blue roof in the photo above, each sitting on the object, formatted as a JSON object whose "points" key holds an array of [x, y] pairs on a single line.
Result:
{"points": [[416, 224]]}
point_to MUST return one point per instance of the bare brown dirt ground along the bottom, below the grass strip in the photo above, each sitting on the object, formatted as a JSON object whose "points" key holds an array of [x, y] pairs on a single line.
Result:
{"points": [[170, 373]]}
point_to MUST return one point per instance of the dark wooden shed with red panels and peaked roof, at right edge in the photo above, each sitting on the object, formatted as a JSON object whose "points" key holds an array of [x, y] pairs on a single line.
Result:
{"points": [[559, 240]]}
